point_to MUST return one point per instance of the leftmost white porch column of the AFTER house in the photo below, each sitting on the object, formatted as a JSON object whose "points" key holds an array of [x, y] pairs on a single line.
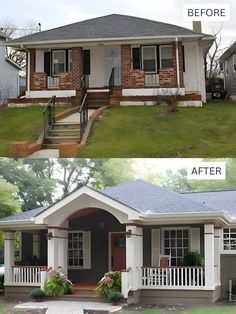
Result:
{"points": [[8, 255]]}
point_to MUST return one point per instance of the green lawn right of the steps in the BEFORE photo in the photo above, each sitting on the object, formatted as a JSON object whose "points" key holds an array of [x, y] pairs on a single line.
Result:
{"points": [[152, 131]]}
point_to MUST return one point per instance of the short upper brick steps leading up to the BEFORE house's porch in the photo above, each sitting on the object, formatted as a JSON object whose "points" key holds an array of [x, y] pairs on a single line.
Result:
{"points": [[98, 98]]}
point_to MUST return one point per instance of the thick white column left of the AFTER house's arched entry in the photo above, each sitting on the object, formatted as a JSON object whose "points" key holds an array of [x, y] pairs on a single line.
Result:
{"points": [[57, 249]]}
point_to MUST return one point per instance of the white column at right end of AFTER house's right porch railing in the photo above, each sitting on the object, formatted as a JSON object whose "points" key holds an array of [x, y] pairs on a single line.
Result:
{"points": [[209, 255]]}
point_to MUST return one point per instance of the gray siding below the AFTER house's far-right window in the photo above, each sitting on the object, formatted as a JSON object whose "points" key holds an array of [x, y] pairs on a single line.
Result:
{"points": [[228, 271]]}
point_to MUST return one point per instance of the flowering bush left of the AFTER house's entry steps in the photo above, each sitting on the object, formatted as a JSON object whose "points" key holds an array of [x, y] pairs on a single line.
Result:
{"points": [[57, 285]]}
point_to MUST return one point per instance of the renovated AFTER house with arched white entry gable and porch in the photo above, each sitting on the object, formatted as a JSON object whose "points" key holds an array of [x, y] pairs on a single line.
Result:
{"points": [[130, 228]]}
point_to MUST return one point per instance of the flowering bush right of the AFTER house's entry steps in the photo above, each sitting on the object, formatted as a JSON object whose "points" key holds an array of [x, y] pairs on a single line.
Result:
{"points": [[111, 282]]}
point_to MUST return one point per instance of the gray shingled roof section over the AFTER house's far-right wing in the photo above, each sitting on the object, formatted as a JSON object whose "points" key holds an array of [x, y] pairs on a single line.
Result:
{"points": [[220, 200]]}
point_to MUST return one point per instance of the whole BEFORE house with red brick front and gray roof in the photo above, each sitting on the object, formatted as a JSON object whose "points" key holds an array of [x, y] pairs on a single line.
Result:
{"points": [[126, 59]]}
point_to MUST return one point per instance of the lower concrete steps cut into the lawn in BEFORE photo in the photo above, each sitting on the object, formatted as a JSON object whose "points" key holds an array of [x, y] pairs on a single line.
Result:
{"points": [[62, 132]]}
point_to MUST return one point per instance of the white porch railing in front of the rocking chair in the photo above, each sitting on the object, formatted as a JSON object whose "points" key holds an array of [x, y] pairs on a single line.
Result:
{"points": [[173, 277]]}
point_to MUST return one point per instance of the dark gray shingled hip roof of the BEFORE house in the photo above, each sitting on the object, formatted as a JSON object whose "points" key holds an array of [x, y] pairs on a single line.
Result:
{"points": [[110, 26]]}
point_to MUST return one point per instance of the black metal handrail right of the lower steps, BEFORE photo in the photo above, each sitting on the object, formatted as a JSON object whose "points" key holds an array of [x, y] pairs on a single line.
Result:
{"points": [[83, 111]]}
